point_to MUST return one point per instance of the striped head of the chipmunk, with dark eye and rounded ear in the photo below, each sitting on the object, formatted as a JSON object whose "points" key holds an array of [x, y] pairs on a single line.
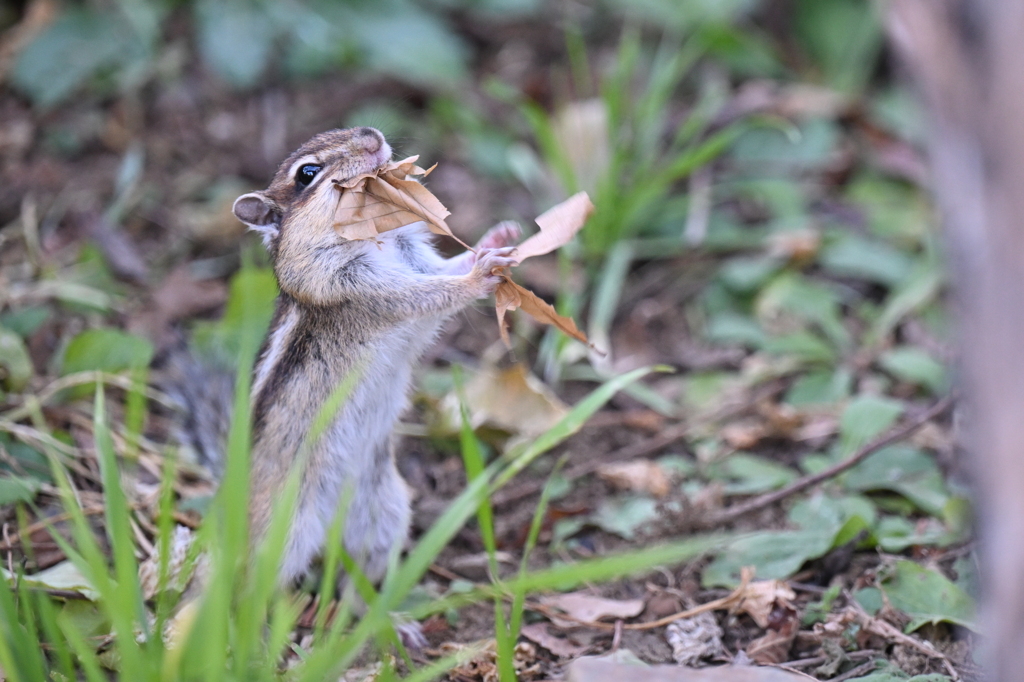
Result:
{"points": [[304, 193]]}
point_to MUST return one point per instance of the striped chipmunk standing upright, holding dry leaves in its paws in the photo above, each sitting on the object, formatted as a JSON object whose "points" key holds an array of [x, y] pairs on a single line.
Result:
{"points": [[369, 308]]}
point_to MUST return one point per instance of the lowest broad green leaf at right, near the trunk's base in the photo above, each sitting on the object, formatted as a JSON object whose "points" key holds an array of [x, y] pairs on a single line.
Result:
{"points": [[928, 598]]}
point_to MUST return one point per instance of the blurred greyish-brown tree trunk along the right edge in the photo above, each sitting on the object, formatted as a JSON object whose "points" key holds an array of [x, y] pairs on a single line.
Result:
{"points": [[967, 59]]}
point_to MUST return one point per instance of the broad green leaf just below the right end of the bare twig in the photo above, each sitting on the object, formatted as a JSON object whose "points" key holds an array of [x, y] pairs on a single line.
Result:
{"points": [[903, 470]]}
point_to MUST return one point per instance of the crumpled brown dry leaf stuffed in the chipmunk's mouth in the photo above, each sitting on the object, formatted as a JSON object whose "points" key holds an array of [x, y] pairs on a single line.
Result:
{"points": [[374, 203]]}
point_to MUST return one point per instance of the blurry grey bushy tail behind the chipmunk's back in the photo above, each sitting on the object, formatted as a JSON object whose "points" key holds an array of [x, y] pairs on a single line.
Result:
{"points": [[203, 392]]}
